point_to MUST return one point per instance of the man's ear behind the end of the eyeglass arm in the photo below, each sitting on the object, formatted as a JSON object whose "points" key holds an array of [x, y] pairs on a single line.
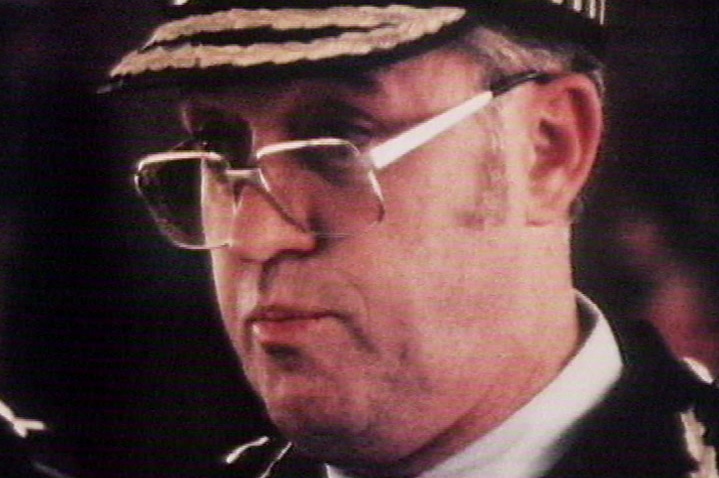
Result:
{"points": [[566, 137]]}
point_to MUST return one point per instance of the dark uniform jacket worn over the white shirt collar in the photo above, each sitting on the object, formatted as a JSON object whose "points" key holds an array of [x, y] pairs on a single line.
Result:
{"points": [[659, 421]]}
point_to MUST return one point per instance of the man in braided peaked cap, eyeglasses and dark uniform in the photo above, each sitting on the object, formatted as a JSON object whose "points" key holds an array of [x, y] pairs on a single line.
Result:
{"points": [[387, 193]]}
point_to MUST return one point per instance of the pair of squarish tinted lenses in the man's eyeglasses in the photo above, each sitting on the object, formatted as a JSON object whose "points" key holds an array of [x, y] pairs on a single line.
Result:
{"points": [[326, 189]]}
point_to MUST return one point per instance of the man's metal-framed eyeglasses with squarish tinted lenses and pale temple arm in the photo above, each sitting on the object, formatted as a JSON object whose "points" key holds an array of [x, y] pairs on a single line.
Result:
{"points": [[323, 186]]}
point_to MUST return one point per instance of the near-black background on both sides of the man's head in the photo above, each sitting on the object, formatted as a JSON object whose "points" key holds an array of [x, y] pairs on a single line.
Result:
{"points": [[110, 335]]}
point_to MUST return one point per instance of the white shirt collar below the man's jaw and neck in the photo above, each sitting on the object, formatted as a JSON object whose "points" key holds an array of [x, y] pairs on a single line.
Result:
{"points": [[528, 443]]}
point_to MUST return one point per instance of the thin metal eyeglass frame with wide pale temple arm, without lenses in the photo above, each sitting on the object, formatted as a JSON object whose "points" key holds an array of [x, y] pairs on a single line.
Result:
{"points": [[379, 157]]}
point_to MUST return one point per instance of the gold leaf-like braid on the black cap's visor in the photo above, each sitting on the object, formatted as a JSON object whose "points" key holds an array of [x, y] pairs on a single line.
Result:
{"points": [[371, 29]]}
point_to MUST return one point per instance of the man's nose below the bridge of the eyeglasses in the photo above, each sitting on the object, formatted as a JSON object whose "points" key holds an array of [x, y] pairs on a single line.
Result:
{"points": [[260, 231]]}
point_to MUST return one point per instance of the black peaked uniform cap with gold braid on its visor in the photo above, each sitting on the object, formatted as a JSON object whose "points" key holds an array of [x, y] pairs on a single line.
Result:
{"points": [[217, 40]]}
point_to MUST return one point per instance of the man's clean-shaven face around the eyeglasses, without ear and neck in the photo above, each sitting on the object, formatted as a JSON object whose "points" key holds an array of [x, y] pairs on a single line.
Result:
{"points": [[370, 348]]}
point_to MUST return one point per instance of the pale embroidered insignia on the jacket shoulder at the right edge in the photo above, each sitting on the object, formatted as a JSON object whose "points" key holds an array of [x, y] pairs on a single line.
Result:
{"points": [[701, 425]]}
